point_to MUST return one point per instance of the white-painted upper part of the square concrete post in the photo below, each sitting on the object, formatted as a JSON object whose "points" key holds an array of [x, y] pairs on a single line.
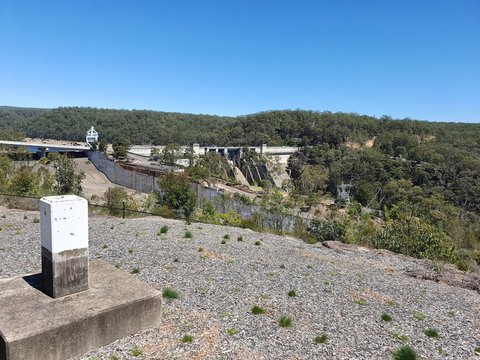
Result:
{"points": [[64, 223]]}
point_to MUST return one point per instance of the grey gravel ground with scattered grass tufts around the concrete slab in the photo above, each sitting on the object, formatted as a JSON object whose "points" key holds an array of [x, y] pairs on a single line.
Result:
{"points": [[341, 294]]}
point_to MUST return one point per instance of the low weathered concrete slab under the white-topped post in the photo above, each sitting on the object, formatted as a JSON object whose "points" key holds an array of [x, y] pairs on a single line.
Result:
{"points": [[36, 326]]}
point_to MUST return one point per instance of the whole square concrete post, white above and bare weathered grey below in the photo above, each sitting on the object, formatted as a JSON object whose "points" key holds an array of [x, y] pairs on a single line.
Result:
{"points": [[64, 233]]}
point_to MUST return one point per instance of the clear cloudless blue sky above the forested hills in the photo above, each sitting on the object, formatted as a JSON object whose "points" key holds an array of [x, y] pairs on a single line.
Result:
{"points": [[403, 58]]}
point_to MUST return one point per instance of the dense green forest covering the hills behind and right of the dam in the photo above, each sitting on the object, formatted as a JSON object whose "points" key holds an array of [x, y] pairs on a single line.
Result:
{"points": [[416, 173]]}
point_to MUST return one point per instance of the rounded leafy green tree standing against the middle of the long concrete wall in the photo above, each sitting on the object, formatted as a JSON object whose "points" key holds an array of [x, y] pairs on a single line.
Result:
{"points": [[178, 195]]}
